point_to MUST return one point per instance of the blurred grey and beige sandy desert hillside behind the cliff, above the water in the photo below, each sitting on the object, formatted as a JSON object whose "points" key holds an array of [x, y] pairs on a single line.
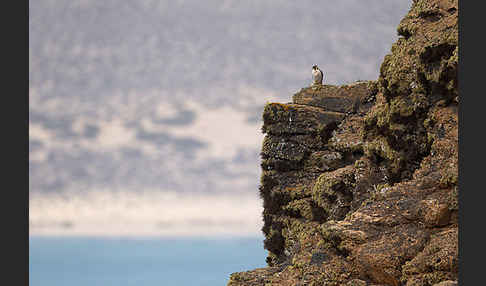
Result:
{"points": [[145, 116]]}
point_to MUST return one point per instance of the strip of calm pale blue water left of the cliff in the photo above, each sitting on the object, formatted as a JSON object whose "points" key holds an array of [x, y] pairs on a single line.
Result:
{"points": [[142, 262]]}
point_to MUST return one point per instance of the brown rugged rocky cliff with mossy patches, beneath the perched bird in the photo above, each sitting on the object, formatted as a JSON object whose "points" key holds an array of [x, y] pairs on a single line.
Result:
{"points": [[359, 182]]}
